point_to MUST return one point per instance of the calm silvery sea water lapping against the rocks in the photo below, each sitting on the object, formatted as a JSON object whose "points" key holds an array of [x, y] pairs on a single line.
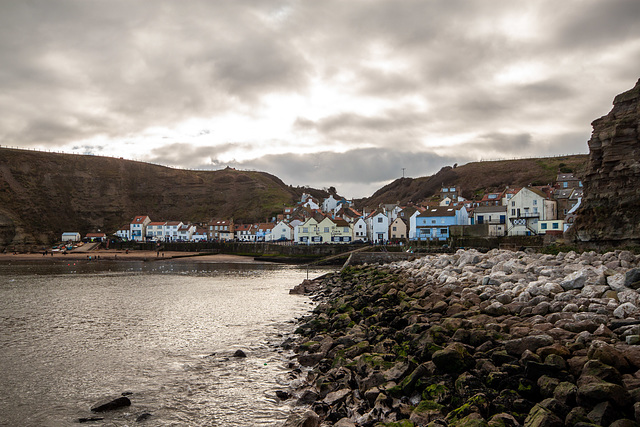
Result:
{"points": [[72, 335]]}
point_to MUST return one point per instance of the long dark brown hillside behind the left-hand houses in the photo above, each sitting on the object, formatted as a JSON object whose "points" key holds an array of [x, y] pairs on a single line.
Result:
{"points": [[44, 194]]}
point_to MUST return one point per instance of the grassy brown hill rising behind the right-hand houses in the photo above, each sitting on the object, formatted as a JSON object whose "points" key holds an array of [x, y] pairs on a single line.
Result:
{"points": [[477, 178]]}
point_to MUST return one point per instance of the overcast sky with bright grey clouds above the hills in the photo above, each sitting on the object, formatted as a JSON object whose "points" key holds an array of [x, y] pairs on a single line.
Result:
{"points": [[321, 93]]}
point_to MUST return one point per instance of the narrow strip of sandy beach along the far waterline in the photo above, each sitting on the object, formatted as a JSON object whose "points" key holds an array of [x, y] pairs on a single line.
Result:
{"points": [[118, 255]]}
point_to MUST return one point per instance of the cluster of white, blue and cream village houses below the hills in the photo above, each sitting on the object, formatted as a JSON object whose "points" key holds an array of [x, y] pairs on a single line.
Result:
{"points": [[526, 211]]}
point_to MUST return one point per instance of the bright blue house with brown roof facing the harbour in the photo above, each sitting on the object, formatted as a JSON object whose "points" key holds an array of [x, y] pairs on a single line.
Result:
{"points": [[434, 223]]}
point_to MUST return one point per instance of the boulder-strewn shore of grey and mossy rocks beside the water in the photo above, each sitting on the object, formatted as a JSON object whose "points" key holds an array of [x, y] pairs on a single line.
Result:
{"points": [[471, 339]]}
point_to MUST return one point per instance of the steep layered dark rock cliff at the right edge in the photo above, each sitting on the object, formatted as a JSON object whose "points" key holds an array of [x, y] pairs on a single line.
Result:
{"points": [[612, 180]]}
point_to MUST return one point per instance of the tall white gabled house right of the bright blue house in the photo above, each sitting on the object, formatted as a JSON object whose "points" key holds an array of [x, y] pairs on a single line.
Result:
{"points": [[526, 208]]}
